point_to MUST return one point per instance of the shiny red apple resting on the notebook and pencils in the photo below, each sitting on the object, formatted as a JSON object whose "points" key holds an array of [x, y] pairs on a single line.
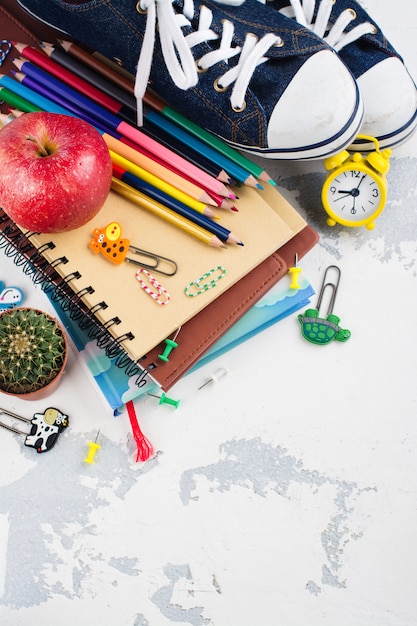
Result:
{"points": [[55, 171]]}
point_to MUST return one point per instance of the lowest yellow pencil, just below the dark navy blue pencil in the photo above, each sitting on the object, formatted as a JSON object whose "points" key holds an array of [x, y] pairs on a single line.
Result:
{"points": [[162, 211]]}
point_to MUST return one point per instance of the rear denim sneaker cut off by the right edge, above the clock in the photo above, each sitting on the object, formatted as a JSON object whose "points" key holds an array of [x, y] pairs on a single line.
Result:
{"points": [[388, 91]]}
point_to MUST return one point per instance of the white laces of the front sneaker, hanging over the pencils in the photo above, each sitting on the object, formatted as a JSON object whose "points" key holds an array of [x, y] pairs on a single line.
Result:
{"points": [[177, 49]]}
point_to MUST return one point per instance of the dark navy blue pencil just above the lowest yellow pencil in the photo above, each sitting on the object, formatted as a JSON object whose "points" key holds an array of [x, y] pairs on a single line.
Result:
{"points": [[223, 233]]}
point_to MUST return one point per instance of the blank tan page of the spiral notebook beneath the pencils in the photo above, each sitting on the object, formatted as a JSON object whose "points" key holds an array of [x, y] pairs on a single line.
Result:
{"points": [[257, 224]]}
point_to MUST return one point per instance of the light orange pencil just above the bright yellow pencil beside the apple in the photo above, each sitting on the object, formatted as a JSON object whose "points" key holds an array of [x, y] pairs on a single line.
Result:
{"points": [[157, 169]]}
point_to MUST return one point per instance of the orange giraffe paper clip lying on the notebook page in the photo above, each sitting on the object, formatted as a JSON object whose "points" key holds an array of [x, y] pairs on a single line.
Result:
{"points": [[110, 243]]}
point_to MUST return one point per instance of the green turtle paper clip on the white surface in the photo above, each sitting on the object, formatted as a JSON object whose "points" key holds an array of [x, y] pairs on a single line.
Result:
{"points": [[323, 330]]}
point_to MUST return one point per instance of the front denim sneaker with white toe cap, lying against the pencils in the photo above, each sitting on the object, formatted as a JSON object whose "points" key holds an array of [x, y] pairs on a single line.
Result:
{"points": [[248, 74]]}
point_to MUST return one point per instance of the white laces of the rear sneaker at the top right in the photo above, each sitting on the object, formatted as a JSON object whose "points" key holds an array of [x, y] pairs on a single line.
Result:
{"points": [[334, 35]]}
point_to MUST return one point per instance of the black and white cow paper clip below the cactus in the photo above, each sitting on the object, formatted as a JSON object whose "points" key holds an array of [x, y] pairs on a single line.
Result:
{"points": [[45, 427]]}
